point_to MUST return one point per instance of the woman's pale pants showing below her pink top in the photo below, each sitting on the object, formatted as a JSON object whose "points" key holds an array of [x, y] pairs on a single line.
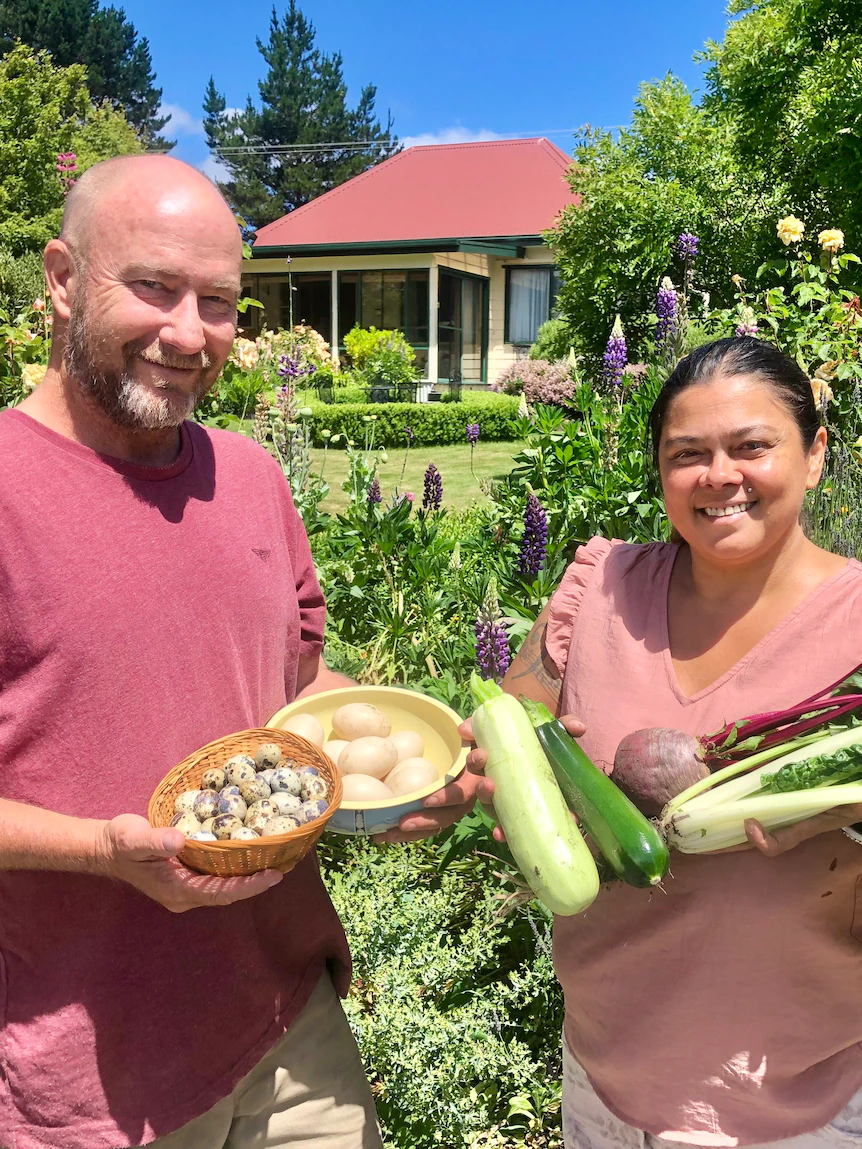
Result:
{"points": [[589, 1124]]}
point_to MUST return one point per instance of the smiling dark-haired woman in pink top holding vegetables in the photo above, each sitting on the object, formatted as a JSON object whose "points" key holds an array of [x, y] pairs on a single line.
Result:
{"points": [[728, 1009]]}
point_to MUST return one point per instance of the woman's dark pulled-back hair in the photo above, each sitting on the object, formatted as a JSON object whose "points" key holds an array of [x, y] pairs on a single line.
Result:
{"points": [[743, 356]]}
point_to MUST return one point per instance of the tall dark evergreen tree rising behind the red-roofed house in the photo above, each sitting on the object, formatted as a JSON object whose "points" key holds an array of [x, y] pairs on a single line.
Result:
{"points": [[304, 106]]}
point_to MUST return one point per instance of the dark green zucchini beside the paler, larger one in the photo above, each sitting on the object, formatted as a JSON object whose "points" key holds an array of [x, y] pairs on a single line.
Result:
{"points": [[629, 843]]}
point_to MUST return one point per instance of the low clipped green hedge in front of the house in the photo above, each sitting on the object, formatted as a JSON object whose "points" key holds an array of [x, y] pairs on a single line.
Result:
{"points": [[433, 425]]}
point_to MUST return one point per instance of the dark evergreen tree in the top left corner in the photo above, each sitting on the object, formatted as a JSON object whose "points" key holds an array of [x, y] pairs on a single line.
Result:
{"points": [[119, 65]]}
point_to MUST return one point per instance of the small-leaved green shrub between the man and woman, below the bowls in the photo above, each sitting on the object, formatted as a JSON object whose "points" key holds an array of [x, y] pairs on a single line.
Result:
{"points": [[457, 1011]]}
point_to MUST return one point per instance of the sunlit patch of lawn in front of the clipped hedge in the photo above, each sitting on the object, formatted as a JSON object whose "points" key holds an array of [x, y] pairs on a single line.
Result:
{"points": [[460, 488]]}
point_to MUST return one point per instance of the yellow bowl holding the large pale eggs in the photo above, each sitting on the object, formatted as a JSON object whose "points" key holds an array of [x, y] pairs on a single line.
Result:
{"points": [[406, 711]]}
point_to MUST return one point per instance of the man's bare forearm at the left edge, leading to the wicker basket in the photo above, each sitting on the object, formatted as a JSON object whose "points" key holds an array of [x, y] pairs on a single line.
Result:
{"points": [[36, 839]]}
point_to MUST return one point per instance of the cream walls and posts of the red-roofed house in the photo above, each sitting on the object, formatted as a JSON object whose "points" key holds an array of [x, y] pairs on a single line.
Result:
{"points": [[492, 268]]}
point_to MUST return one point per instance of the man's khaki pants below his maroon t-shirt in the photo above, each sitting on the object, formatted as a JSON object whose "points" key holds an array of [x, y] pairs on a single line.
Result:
{"points": [[310, 1091]]}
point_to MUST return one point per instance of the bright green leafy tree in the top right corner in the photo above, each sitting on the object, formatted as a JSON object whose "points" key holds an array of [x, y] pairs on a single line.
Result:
{"points": [[788, 80]]}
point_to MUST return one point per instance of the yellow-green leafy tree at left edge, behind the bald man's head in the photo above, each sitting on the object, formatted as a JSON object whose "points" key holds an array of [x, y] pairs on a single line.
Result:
{"points": [[47, 111]]}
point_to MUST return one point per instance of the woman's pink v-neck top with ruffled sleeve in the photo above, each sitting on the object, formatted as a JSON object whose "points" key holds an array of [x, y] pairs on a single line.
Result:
{"points": [[726, 1011]]}
